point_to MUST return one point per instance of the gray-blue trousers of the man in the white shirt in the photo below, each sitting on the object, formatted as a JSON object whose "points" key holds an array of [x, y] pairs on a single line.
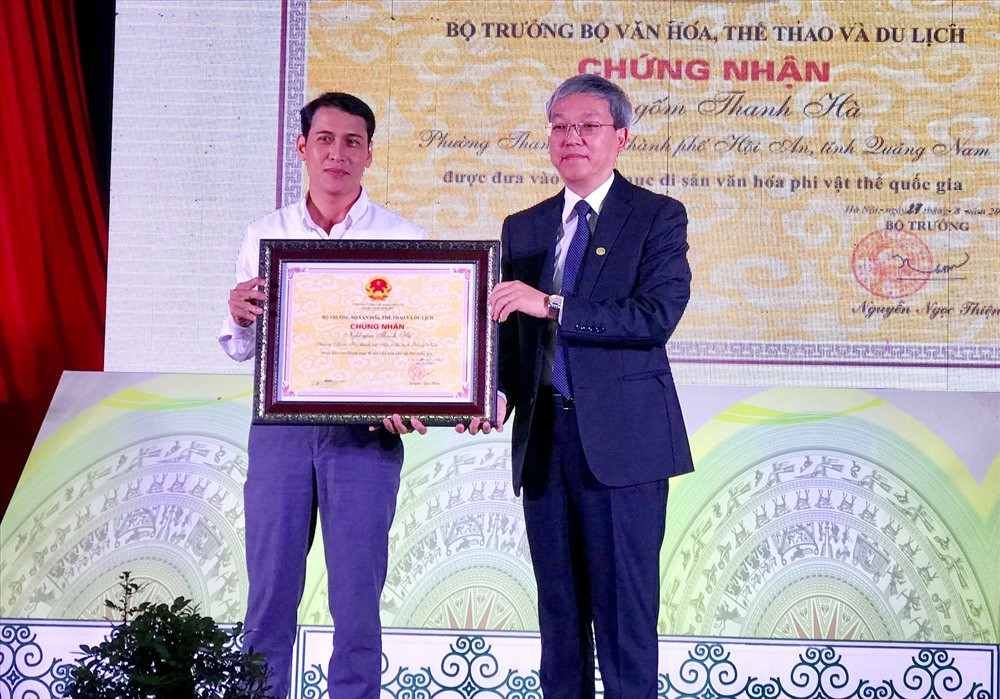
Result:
{"points": [[349, 477]]}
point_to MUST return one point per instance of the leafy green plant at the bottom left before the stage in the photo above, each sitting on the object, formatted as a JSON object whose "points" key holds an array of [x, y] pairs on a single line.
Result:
{"points": [[166, 651]]}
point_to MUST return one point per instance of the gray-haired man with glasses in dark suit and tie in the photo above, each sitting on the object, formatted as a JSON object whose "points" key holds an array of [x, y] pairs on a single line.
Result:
{"points": [[595, 281]]}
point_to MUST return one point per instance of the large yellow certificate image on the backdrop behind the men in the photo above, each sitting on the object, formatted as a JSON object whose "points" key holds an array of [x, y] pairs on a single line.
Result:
{"points": [[838, 159]]}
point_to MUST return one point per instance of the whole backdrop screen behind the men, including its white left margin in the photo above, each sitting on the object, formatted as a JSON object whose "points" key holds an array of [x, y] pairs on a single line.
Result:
{"points": [[198, 127]]}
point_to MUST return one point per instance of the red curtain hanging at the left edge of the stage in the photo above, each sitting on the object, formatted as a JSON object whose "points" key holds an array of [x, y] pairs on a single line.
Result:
{"points": [[53, 231]]}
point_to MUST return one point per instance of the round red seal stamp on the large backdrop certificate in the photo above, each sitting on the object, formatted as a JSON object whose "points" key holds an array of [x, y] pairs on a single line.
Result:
{"points": [[892, 264]]}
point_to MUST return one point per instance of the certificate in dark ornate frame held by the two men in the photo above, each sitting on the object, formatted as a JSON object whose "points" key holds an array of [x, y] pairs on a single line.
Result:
{"points": [[353, 331]]}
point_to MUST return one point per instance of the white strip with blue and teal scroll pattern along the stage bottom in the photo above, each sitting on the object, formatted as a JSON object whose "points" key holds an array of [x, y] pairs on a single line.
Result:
{"points": [[35, 658]]}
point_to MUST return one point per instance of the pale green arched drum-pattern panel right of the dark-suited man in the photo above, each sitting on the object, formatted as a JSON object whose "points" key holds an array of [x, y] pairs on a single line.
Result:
{"points": [[835, 514]]}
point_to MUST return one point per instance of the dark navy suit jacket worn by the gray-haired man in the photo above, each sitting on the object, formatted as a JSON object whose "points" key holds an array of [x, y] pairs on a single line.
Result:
{"points": [[633, 287]]}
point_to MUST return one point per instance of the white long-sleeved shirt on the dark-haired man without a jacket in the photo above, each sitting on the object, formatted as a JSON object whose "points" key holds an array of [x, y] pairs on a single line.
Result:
{"points": [[365, 220]]}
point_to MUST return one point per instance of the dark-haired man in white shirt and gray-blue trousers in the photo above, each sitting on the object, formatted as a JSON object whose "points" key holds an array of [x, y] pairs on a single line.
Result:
{"points": [[347, 474]]}
